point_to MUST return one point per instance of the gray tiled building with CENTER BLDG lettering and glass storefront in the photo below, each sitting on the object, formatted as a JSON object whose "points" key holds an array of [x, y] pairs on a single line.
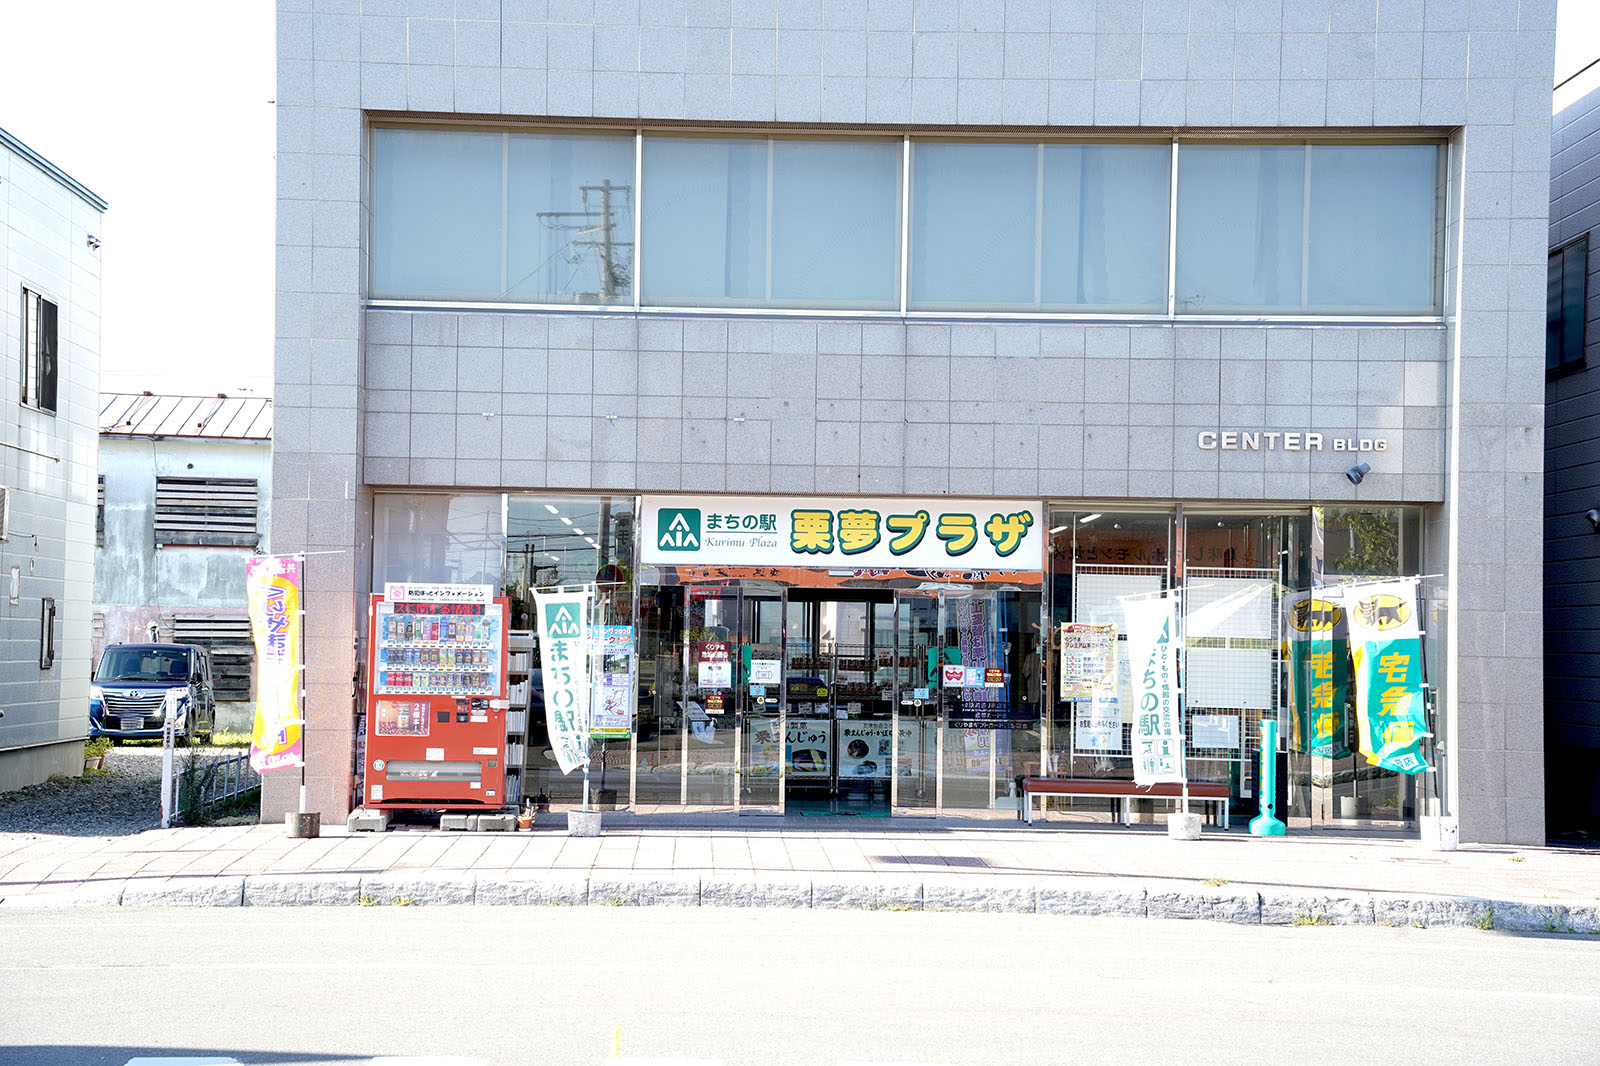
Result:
{"points": [[1106, 300]]}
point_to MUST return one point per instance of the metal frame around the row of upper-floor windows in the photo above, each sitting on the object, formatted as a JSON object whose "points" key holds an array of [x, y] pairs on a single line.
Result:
{"points": [[1447, 156]]}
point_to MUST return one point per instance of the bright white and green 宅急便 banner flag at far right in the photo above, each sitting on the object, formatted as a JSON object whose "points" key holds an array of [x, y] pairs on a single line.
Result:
{"points": [[1390, 708]]}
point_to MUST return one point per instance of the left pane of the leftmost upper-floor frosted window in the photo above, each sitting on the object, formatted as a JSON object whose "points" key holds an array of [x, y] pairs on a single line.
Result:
{"points": [[438, 215]]}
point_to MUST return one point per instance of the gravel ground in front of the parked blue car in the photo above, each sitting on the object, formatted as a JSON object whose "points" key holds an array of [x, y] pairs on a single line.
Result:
{"points": [[121, 801]]}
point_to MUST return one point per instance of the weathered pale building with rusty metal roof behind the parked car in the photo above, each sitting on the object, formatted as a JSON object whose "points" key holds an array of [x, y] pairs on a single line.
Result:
{"points": [[185, 500]]}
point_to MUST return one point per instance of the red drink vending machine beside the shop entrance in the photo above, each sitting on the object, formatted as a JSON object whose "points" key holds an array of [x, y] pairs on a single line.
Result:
{"points": [[436, 707]]}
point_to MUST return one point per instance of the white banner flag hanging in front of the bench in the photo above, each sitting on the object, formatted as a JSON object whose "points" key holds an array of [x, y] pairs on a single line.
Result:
{"points": [[1153, 660]]}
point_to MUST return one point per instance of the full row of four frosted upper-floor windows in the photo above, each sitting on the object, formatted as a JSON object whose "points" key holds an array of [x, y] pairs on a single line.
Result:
{"points": [[922, 225]]}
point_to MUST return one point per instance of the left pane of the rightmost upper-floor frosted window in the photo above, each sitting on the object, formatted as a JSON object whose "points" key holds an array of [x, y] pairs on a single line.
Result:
{"points": [[1241, 228]]}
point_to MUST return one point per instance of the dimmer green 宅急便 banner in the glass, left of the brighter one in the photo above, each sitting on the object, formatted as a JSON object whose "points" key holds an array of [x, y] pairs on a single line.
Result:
{"points": [[1319, 673]]}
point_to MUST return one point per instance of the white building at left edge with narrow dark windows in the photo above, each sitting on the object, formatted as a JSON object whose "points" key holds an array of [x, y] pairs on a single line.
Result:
{"points": [[50, 238]]}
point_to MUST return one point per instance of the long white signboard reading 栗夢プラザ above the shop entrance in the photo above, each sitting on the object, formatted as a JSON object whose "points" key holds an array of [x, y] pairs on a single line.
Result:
{"points": [[842, 532]]}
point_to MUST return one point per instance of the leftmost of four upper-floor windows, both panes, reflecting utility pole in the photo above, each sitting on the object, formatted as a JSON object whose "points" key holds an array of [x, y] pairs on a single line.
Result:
{"points": [[503, 217]]}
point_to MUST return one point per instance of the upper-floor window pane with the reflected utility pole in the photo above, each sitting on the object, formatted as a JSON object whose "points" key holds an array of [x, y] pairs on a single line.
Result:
{"points": [[570, 220]]}
